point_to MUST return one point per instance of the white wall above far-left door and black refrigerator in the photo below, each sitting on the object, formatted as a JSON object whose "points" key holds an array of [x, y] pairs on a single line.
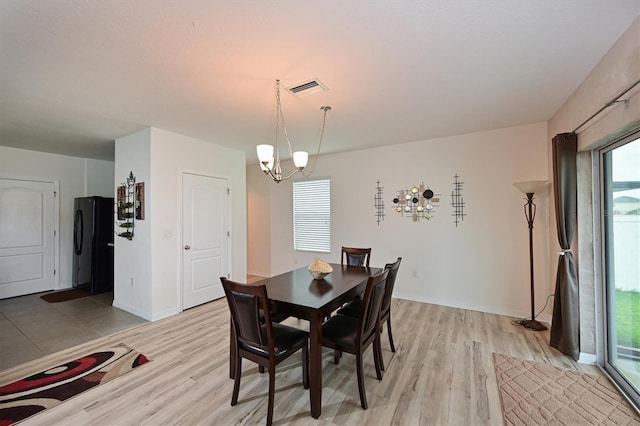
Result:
{"points": [[77, 177]]}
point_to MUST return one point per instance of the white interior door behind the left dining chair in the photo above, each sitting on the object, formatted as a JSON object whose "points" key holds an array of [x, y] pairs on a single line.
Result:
{"points": [[205, 238]]}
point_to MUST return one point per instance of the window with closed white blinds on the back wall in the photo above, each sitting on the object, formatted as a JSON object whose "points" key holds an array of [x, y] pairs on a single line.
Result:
{"points": [[312, 215]]}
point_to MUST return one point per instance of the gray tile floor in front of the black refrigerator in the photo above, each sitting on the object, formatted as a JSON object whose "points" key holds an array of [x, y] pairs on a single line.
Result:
{"points": [[31, 327]]}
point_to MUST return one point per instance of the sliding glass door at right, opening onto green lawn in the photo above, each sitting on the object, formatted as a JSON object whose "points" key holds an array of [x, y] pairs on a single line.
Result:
{"points": [[620, 230]]}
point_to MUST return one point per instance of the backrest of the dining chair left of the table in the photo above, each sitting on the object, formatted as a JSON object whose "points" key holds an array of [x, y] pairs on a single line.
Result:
{"points": [[245, 302]]}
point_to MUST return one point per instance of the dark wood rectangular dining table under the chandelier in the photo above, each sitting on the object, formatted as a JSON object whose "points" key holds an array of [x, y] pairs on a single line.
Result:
{"points": [[297, 294]]}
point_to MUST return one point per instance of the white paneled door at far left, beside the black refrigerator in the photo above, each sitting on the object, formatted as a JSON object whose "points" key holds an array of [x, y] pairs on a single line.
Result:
{"points": [[27, 239]]}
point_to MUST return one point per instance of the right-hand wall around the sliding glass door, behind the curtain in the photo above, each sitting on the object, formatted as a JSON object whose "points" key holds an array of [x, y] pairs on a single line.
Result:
{"points": [[615, 72]]}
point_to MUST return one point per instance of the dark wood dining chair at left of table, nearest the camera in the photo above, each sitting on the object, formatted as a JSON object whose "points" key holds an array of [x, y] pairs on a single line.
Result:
{"points": [[264, 342]]}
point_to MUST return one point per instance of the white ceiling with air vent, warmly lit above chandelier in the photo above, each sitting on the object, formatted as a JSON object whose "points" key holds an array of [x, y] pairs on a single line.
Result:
{"points": [[77, 74]]}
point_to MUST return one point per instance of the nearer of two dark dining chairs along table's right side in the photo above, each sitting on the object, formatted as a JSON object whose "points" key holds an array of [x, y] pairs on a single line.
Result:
{"points": [[354, 335]]}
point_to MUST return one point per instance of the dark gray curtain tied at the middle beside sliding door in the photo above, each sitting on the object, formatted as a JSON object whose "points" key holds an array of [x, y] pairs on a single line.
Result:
{"points": [[565, 324]]}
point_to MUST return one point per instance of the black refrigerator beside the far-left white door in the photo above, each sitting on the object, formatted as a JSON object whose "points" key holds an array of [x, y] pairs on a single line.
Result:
{"points": [[93, 244]]}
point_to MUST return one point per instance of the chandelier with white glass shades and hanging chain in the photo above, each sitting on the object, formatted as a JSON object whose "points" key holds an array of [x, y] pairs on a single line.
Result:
{"points": [[269, 164]]}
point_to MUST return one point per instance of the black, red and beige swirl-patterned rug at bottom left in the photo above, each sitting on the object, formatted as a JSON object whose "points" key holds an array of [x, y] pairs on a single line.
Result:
{"points": [[33, 394]]}
